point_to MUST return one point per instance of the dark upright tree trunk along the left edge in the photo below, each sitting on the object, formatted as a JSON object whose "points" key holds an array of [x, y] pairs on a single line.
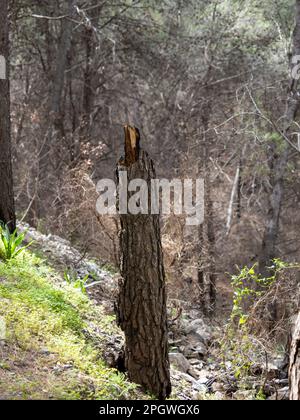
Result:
{"points": [[7, 206]]}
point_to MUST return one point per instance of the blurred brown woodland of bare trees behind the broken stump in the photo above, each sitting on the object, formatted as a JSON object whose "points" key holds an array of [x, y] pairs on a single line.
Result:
{"points": [[207, 84]]}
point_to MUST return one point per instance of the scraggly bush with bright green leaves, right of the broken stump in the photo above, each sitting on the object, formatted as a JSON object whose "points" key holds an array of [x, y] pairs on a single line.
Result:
{"points": [[244, 346]]}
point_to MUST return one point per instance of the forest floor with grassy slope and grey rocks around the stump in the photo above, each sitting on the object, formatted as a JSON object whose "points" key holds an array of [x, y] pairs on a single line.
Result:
{"points": [[62, 340]]}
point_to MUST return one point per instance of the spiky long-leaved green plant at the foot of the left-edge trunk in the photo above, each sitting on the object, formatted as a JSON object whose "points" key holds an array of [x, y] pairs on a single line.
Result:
{"points": [[11, 243]]}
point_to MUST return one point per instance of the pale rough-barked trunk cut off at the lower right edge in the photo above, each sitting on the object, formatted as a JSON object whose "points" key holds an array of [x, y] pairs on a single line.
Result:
{"points": [[294, 373]]}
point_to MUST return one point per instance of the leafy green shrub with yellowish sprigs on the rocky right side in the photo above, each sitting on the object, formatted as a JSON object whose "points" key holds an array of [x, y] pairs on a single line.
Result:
{"points": [[240, 345]]}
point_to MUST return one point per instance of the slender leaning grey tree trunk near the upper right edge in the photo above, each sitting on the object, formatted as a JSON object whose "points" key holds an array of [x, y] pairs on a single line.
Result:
{"points": [[279, 164]]}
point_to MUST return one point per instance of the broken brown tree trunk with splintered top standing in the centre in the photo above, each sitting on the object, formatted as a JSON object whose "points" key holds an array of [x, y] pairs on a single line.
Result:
{"points": [[142, 309]]}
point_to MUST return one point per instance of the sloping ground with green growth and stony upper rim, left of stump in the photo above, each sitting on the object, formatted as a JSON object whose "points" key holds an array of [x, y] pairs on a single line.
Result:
{"points": [[59, 339]]}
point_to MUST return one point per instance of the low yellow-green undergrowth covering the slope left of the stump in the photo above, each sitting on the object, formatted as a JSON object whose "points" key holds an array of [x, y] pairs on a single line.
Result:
{"points": [[54, 337]]}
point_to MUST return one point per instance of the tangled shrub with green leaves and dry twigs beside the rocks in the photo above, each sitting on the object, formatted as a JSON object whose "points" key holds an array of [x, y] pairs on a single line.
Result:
{"points": [[251, 336]]}
